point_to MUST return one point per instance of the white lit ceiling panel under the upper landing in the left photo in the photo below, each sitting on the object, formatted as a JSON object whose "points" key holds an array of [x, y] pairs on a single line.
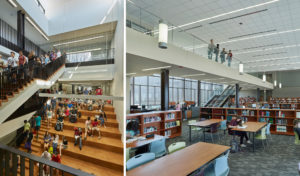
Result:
{"points": [[88, 73]]}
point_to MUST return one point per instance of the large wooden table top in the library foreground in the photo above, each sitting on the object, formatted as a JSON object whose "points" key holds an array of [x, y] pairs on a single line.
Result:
{"points": [[182, 162]]}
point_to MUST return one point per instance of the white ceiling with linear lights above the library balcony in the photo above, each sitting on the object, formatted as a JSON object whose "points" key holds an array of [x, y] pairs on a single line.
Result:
{"points": [[264, 42]]}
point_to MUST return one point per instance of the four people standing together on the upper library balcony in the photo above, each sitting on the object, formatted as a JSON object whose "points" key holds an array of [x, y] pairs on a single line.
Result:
{"points": [[215, 49]]}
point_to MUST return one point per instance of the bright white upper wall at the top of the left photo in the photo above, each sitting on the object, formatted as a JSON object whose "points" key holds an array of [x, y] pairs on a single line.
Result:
{"points": [[69, 15]]}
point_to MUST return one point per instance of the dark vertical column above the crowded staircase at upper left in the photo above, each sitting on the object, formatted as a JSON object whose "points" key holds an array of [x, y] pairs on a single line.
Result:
{"points": [[21, 30]]}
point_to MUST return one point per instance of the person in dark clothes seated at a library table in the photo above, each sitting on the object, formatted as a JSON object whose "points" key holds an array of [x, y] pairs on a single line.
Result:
{"points": [[233, 124]]}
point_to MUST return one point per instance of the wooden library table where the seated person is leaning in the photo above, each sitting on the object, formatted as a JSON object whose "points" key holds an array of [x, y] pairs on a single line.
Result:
{"points": [[252, 127]]}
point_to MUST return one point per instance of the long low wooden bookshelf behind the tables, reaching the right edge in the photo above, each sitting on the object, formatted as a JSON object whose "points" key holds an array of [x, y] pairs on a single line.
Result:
{"points": [[281, 119]]}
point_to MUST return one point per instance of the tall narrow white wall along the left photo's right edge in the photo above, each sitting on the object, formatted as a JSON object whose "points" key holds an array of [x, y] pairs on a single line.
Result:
{"points": [[118, 81]]}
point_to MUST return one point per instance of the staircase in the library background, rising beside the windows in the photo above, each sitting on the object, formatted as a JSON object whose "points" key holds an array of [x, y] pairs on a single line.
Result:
{"points": [[220, 100]]}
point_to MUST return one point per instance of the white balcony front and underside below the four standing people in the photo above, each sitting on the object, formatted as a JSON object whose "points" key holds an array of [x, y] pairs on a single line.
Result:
{"points": [[143, 53]]}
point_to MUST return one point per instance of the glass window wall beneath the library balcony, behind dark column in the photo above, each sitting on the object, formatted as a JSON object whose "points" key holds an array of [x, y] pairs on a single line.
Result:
{"points": [[145, 90]]}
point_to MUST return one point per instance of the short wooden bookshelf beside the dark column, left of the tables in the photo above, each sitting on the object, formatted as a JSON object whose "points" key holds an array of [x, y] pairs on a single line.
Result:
{"points": [[164, 123]]}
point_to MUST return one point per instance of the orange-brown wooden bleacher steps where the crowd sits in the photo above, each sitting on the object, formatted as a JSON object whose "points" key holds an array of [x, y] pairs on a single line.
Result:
{"points": [[101, 157]]}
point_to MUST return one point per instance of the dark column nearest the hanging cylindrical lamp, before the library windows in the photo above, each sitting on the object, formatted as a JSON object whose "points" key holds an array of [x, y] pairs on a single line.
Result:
{"points": [[164, 89]]}
